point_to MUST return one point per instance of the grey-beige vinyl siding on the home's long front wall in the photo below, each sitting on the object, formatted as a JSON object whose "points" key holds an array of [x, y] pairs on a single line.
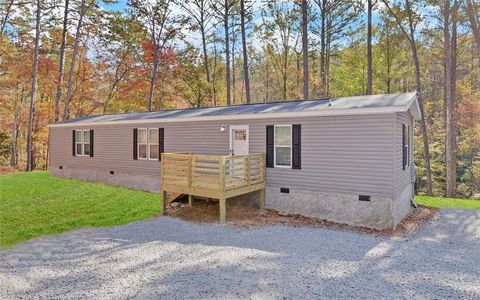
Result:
{"points": [[340, 154]]}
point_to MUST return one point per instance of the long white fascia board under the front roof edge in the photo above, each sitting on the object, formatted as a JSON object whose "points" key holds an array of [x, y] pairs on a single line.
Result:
{"points": [[299, 114]]}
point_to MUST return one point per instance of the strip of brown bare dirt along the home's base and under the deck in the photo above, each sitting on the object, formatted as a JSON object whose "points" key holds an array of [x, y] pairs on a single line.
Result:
{"points": [[207, 212]]}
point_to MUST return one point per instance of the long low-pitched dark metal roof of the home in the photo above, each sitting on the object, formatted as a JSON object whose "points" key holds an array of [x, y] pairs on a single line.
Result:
{"points": [[356, 102]]}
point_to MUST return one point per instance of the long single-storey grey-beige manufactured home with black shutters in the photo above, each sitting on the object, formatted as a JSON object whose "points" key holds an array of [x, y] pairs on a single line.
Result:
{"points": [[346, 160]]}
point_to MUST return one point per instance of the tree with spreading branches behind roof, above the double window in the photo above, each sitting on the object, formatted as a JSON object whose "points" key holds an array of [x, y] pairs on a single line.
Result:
{"points": [[156, 17]]}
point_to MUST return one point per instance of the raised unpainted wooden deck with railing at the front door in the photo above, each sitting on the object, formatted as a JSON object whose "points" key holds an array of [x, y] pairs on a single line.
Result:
{"points": [[218, 177]]}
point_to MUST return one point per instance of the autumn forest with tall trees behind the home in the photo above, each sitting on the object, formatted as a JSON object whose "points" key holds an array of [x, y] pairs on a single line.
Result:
{"points": [[72, 58]]}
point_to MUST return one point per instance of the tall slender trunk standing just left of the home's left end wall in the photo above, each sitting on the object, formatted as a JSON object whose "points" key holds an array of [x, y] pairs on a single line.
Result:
{"points": [[34, 90]]}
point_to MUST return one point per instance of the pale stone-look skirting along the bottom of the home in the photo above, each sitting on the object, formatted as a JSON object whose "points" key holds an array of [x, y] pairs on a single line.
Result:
{"points": [[379, 213]]}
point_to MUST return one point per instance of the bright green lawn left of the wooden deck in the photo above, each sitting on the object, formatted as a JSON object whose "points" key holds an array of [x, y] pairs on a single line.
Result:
{"points": [[37, 204]]}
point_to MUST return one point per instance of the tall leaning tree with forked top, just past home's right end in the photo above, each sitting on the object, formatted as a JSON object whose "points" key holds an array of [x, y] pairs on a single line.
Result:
{"points": [[410, 35]]}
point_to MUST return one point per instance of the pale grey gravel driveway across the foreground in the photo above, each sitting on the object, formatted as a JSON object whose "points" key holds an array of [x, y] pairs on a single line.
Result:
{"points": [[168, 258]]}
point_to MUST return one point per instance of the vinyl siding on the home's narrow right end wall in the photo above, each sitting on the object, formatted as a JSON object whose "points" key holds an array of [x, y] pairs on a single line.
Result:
{"points": [[402, 177]]}
